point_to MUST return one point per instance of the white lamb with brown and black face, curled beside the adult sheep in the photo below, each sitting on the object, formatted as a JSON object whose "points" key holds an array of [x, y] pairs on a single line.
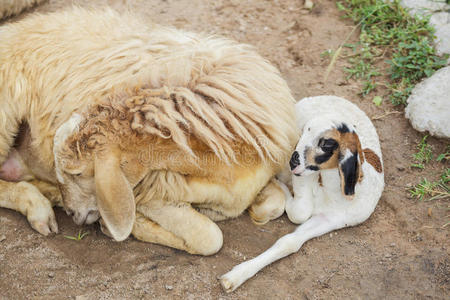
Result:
{"points": [[337, 177]]}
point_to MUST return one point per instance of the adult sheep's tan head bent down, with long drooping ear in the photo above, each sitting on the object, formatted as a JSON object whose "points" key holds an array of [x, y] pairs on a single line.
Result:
{"points": [[95, 177]]}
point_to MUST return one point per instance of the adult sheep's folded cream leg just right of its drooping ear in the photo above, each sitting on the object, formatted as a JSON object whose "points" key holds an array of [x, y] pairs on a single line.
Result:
{"points": [[178, 225]]}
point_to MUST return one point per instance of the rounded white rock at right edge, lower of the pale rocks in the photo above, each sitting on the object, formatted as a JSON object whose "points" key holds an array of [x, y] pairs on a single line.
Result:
{"points": [[429, 104]]}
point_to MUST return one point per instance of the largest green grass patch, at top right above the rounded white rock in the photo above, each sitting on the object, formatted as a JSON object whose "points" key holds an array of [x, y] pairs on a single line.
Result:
{"points": [[389, 34]]}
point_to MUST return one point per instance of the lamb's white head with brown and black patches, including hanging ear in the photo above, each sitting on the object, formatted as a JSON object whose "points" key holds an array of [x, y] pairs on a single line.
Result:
{"points": [[327, 144]]}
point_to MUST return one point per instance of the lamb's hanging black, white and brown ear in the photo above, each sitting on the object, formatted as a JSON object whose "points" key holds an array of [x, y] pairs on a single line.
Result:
{"points": [[350, 156]]}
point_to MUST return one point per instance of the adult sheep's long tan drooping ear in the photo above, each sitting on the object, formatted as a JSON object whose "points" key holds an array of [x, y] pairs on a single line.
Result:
{"points": [[115, 199]]}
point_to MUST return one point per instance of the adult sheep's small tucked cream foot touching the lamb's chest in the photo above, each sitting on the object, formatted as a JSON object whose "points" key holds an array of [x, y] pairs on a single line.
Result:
{"points": [[269, 203]]}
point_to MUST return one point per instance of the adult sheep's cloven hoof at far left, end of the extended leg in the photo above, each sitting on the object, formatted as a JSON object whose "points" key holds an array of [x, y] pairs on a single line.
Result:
{"points": [[42, 219]]}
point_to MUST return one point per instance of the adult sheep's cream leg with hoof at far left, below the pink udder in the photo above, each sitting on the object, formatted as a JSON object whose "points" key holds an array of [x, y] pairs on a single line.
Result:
{"points": [[28, 200]]}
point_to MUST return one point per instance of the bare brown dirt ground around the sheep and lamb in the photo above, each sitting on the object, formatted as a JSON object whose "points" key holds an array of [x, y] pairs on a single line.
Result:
{"points": [[399, 253]]}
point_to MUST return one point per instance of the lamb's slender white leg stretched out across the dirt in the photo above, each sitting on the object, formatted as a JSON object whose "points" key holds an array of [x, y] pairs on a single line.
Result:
{"points": [[288, 244]]}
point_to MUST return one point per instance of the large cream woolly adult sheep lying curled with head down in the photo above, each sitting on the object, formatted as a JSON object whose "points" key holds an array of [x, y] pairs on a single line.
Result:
{"points": [[169, 129]]}
